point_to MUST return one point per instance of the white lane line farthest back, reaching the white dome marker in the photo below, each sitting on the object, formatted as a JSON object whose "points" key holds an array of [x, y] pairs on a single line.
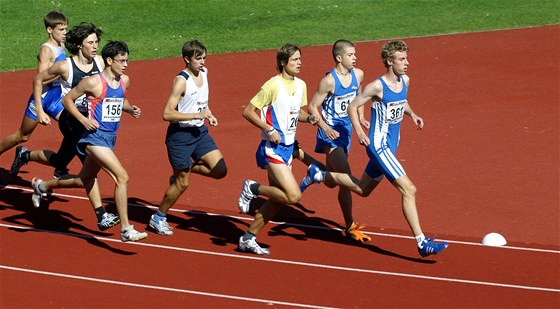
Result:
{"points": [[298, 225]]}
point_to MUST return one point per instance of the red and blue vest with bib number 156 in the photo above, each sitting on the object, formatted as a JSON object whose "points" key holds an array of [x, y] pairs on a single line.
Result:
{"points": [[106, 109]]}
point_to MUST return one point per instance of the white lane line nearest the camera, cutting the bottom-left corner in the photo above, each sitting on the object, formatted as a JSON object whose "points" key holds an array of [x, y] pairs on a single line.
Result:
{"points": [[155, 287]]}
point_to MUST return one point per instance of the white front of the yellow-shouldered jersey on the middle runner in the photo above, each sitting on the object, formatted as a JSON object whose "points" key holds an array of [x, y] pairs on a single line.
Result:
{"points": [[283, 113]]}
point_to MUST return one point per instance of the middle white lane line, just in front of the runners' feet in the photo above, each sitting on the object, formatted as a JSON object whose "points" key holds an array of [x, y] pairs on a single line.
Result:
{"points": [[290, 262]]}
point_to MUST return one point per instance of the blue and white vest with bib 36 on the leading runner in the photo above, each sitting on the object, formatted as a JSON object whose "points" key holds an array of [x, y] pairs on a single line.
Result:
{"points": [[386, 116]]}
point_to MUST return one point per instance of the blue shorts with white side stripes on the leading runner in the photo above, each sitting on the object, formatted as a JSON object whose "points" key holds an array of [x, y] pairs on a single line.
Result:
{"points": [[383, 162]]}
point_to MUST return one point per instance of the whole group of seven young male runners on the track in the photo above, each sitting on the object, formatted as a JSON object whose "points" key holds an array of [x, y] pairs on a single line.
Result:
{"points": [[85, 93]]}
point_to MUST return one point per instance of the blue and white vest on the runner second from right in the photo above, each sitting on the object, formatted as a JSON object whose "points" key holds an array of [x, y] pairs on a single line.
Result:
{"points": [[335, 107]]}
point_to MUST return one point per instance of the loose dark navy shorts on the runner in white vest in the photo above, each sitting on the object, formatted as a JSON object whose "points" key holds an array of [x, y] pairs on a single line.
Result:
{"points": [[185, 146]]}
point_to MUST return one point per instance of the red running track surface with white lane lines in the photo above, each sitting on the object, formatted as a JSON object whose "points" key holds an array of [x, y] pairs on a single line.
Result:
{"points": [[487, 161]]}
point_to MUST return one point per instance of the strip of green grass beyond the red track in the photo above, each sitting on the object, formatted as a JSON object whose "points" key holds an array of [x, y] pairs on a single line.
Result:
{"points": [[158, 28]]}
